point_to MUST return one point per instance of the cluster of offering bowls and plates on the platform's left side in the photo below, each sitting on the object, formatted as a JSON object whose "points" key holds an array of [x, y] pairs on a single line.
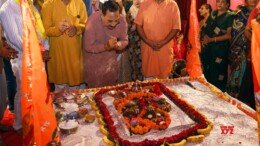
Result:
{"points": [[73, 110]]}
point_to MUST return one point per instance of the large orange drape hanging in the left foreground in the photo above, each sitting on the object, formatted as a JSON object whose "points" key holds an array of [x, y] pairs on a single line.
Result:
{"points": [[38, 117]]}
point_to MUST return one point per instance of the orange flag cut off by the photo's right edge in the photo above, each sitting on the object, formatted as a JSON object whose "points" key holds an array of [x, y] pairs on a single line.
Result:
{"points": [[255, 53]]}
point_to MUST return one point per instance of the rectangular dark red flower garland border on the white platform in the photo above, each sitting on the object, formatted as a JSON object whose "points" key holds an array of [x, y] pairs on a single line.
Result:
{"points": [[188, 109]]}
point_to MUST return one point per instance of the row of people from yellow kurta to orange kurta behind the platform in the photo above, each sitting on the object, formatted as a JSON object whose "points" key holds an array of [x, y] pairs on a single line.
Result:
{"points": [[104, 60]]}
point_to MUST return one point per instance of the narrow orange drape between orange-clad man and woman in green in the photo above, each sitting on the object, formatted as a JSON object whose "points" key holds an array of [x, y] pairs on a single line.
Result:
{"points": [[193, 59]]}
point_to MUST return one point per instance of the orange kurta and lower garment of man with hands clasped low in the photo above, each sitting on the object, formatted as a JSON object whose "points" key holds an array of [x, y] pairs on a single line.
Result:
{"points": [[157, 21]]}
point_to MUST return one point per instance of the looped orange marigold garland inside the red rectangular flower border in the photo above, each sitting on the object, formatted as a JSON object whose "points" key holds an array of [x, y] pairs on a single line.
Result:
{"points": [[140, 125]]}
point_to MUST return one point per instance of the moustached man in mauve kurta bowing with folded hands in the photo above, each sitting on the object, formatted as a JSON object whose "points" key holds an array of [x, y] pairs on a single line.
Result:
{"points": [[105, 36]]}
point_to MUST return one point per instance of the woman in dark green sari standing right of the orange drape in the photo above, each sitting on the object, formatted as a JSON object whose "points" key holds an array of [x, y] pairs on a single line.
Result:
{"points": [[215, 38]]}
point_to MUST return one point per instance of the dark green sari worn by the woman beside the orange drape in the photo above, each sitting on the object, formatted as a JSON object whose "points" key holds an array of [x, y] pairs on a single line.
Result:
{"points": [[215, 54]]}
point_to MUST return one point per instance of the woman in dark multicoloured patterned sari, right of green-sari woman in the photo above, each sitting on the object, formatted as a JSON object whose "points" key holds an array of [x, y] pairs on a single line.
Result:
{"points": [[239, 48]]}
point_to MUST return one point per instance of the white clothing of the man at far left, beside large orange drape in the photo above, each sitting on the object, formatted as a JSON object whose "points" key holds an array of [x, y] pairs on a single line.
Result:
{"points": [[11, 20]]}
